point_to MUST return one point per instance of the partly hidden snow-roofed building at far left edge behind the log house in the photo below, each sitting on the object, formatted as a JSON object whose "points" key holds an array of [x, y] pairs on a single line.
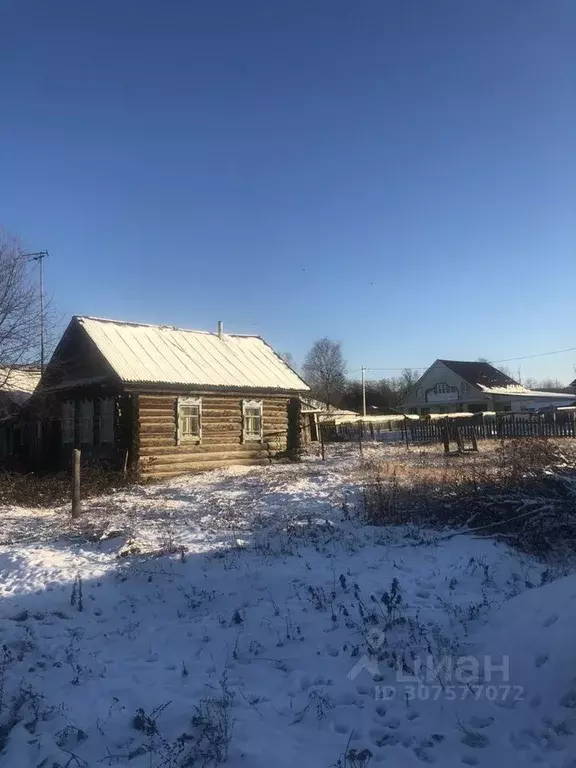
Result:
{"points": [[17, 385]]}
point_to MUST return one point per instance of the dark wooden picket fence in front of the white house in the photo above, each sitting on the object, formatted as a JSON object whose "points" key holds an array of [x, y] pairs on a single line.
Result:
{"points": [[428, 431]]}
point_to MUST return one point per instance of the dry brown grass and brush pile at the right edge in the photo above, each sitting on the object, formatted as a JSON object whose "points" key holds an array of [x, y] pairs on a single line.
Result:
{"points": [[523, 488]]}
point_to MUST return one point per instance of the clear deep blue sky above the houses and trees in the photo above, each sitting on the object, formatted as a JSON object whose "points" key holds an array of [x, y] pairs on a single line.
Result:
{"points": [[397, 175]]}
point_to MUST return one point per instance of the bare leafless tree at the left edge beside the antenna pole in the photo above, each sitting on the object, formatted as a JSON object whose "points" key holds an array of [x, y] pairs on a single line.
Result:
{"points": [[19, 309]]}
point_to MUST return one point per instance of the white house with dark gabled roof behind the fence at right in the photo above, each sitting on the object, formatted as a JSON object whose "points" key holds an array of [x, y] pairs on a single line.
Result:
{"points": [[456, 386]]}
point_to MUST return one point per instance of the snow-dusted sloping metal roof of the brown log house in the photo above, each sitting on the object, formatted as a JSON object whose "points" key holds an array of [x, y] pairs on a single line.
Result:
{"points": [[158, 354]]}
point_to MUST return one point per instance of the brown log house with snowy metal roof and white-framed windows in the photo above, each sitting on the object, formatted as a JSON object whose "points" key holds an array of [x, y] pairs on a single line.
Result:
{"points": [[164, 400]]}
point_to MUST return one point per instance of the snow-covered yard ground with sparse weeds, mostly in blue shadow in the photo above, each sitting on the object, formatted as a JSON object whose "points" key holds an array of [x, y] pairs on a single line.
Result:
{"points": [[254, 636]]}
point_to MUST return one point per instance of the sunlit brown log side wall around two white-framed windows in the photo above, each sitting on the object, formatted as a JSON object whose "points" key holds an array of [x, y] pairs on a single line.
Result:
{"points": [[222, 445]]}
